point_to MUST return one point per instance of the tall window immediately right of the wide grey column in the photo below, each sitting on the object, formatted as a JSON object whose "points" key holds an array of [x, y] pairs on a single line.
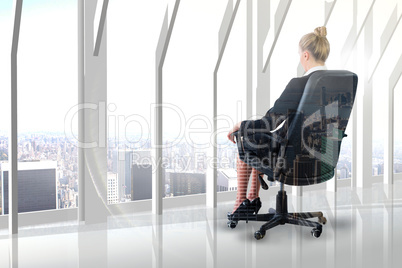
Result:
{"points": [[133, 31]]}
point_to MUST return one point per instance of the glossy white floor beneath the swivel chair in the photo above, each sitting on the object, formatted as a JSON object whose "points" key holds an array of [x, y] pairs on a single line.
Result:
{"points": [[364, 229]]}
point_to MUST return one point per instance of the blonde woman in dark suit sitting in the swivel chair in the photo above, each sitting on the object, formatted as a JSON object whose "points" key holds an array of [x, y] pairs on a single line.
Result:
{"points": [[313, 50]]}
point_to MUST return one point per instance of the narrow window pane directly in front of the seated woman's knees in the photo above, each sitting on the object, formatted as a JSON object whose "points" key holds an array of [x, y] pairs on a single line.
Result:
{"points": [[232, 96]]}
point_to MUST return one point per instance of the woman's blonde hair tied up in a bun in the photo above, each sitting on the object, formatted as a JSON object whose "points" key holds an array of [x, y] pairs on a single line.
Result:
{"points": [[316, 43]]}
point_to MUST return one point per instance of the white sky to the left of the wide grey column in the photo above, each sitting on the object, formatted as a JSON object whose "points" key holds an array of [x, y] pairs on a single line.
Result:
{"points": [[46, 84]]}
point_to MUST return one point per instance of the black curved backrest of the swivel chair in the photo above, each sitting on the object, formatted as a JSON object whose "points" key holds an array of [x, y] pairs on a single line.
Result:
{"points": [[317, 127]]}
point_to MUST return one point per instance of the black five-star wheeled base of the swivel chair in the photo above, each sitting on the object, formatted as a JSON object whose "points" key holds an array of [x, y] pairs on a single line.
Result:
{"points": [[280, 216]]}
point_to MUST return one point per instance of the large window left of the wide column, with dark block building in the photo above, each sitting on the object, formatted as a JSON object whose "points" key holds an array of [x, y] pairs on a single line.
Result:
{"points": [[47, 90]]}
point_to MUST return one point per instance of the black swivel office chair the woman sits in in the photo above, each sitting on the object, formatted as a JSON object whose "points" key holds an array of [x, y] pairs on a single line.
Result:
{"points": [[305, 149]]}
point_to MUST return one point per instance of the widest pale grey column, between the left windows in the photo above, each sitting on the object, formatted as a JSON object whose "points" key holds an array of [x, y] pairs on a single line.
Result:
{"points": [[92, 92]]}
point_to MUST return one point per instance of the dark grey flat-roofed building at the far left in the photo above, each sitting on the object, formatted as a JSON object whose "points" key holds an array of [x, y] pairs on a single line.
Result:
{"points": [[36, 186]]}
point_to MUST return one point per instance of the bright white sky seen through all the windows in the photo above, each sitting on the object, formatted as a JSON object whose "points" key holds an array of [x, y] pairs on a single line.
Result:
{"points": [[48, 63]]}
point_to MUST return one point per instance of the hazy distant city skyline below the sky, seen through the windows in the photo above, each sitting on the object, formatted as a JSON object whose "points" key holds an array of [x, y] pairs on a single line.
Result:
{"points": [[181, 158]]}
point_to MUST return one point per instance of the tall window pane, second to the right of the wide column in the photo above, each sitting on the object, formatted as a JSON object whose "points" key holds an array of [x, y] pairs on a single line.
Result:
{"points": [[188, 92]]}
